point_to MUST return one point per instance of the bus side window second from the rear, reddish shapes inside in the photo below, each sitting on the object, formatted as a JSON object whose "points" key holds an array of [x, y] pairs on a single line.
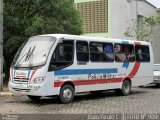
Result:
{"points": [[124, 52]]}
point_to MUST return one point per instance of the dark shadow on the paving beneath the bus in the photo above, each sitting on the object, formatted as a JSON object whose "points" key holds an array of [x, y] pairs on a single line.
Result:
{"points": [[81, 97]]}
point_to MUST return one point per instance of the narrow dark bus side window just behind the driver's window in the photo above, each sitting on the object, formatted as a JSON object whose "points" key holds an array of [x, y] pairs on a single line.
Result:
{"points": [[82, 51]]}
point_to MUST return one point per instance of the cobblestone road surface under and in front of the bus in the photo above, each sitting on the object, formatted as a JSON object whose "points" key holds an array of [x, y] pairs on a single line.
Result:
{"points": [[142, 100]]}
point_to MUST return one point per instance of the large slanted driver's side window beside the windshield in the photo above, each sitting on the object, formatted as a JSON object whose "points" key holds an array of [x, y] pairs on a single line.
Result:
{"points": [[62, 56]]}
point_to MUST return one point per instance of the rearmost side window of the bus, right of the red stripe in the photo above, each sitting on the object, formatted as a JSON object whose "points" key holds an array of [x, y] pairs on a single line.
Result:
{"points": [[142, 53]]}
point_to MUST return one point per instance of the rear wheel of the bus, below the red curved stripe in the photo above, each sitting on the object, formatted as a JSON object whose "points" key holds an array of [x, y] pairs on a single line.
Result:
{"points": [[126, 88]]}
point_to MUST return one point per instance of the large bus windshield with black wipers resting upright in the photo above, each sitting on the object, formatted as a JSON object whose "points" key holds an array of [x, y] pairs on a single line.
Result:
{"points": [[34, 52]]}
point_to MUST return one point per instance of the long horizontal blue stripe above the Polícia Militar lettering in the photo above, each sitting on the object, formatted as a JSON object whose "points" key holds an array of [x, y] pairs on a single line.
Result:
{"points": [[85, 71]]}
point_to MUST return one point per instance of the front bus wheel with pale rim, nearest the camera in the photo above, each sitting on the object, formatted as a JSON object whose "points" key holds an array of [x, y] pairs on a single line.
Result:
{"points": [[66, 94]]}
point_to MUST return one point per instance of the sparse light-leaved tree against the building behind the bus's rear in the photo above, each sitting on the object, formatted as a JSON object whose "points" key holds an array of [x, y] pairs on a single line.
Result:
{"points": [[143, 29]]}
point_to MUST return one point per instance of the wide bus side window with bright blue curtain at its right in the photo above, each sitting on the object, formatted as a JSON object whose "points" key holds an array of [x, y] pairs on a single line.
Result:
{"points": [[101, 52]]}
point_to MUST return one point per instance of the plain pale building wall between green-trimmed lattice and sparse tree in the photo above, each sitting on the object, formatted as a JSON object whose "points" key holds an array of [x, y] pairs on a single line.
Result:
{"points": [[120, 12]]}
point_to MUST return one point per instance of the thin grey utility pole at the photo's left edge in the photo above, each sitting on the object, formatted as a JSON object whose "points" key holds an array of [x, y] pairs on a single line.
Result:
{"points": [[1, 45]]}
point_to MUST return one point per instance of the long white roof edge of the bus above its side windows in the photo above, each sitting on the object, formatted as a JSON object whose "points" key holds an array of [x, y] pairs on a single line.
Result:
{"points": [[96, 39]]}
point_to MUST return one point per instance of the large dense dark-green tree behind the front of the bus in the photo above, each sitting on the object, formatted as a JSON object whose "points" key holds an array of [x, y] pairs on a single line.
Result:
{"points": [[25, 18]]}
